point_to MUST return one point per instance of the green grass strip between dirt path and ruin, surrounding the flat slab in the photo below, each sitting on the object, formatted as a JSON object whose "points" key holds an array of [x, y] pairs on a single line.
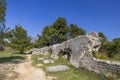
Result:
{"points": [[72, 74]]}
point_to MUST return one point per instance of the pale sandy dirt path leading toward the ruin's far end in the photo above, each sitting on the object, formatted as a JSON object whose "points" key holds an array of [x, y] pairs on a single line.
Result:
{"points": [[28, 72]]}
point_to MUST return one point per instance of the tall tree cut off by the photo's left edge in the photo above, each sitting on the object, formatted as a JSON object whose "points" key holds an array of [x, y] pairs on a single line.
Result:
{"points": [[2, 20]]}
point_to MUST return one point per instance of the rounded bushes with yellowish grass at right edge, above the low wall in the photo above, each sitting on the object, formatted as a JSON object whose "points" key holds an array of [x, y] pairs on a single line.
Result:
{"points": [[109, 50]]}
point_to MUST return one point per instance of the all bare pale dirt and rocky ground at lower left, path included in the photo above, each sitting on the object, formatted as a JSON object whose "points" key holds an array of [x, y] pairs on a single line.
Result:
{"points": [[22, 71]]}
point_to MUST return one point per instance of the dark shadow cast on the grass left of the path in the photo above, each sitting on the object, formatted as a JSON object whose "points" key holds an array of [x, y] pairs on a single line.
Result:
{"points": [[14, 59]]}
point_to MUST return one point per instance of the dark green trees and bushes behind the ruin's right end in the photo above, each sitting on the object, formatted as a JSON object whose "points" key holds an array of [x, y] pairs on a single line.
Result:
{"points": [[111, 49]]}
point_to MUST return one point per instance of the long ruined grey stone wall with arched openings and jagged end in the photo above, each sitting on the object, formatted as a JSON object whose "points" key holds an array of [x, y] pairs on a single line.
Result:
{"points": [[79, 52]]}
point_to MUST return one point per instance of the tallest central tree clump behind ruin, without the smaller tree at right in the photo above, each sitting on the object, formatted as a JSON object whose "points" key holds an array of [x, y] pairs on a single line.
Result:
{"points": [[53, 34]]}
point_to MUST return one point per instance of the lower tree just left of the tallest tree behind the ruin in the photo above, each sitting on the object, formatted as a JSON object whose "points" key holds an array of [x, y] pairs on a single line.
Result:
{"points": [[49, 36]]}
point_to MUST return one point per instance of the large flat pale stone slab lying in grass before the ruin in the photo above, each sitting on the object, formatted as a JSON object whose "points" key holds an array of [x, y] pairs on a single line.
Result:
{"points": [[57, 68]]}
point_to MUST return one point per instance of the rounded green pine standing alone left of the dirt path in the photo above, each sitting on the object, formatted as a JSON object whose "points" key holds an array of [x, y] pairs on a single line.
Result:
{"points": [[19, 39]]}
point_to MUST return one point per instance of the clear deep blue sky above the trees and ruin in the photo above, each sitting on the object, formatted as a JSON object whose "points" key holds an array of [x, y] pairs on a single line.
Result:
{"points": [[91, 15]]}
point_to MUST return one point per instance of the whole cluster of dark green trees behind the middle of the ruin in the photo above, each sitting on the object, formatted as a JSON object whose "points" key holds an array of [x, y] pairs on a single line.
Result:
{"points": [[58, 33]]}
